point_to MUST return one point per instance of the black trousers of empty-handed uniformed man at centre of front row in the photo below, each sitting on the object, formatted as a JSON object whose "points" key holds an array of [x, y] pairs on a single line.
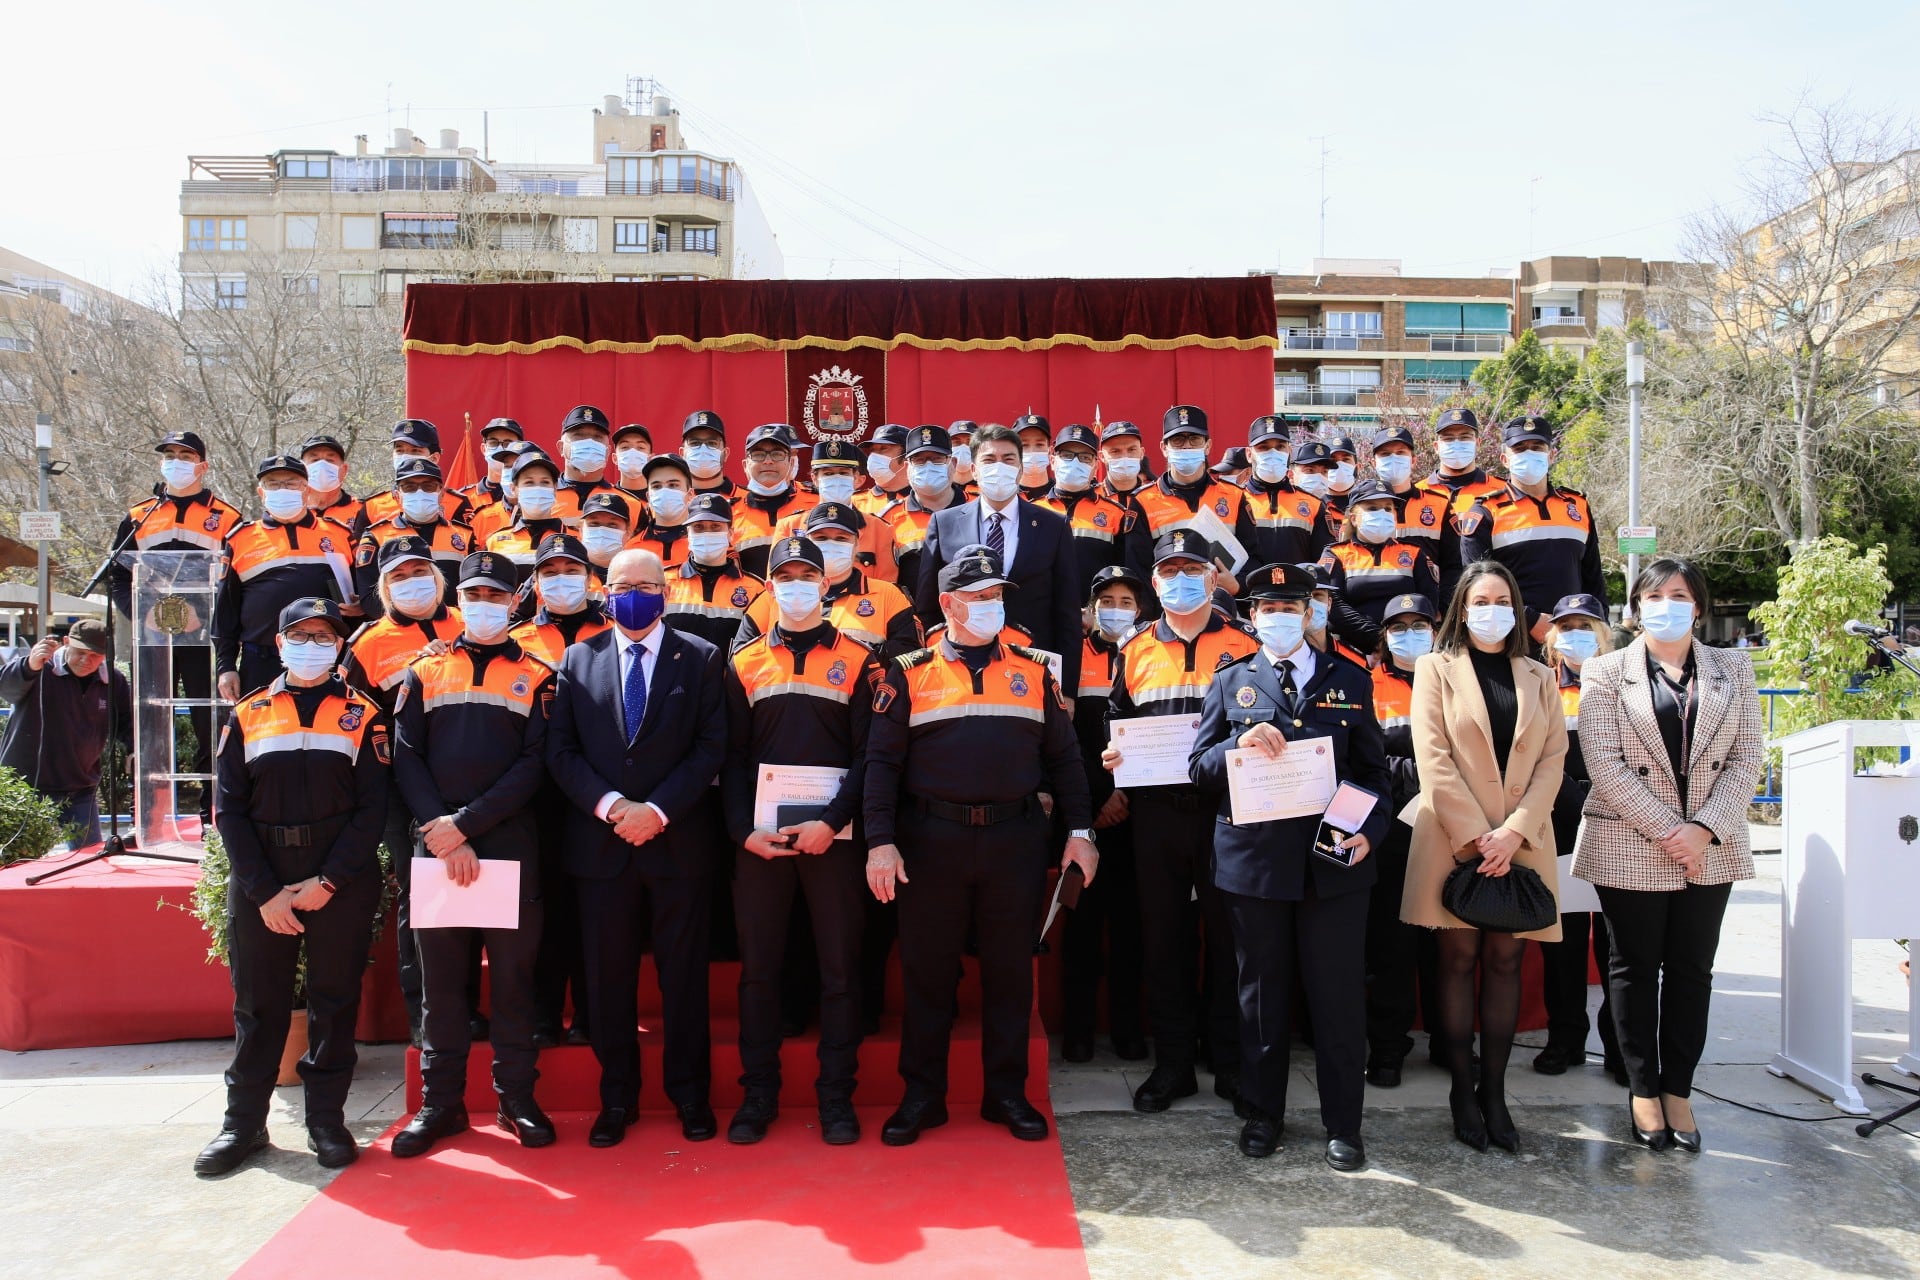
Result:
{"points": [[994, 878]]}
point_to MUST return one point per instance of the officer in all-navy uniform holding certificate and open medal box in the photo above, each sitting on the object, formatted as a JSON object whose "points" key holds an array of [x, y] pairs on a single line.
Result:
{"points": [[1295, 911]]}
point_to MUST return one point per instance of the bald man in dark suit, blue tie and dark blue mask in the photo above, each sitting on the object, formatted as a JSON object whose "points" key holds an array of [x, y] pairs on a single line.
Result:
{"points": [[638, 736]]}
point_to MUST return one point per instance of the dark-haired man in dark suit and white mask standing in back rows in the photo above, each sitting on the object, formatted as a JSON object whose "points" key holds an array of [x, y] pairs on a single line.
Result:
{"points": [[1036, 546]]}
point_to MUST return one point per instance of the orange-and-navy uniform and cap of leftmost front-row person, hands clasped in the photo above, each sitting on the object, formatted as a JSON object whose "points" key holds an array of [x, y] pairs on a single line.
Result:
{"points": [[302, 784]]}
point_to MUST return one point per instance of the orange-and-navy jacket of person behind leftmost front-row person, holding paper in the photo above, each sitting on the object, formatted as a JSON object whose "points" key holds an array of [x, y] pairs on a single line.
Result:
{"points": [[266, 569]]}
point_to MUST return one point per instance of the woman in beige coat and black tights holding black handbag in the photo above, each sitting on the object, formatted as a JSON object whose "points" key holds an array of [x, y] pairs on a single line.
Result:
{"points": [[1491, 742]]}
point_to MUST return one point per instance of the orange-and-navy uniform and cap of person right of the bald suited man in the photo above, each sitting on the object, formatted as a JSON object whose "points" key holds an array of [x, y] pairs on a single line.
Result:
{"points": [[800, 699]]}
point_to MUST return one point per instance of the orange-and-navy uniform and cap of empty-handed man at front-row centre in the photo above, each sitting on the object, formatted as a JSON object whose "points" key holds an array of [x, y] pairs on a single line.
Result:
{"points": [[972, 841]]}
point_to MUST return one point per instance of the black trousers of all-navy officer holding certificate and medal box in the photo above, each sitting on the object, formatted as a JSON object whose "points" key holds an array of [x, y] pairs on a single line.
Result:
{"points": [[1324, 943]]}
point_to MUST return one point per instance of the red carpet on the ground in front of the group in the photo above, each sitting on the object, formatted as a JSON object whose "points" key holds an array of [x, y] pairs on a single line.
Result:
{"points": [[967, 1200]]}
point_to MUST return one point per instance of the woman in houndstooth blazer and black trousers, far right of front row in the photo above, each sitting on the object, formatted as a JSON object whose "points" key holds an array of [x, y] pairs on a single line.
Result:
{"points": [[1671, 734]]}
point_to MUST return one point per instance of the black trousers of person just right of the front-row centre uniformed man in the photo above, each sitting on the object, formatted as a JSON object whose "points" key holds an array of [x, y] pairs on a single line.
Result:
{"points": [[1101, 937]]}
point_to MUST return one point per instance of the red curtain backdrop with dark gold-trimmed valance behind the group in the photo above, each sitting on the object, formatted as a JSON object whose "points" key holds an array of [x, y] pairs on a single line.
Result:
{"points": [[984, 350]]}
